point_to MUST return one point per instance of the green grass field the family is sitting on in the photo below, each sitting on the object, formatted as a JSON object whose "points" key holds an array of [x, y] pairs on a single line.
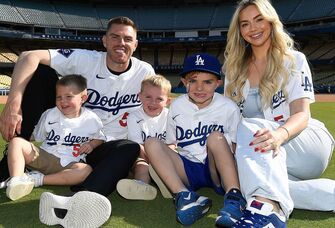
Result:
{"points": [[160, 212]]}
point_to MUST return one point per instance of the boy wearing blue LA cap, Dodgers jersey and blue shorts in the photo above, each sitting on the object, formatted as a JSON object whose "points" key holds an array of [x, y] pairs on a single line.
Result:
{"points": [[201, 125]]}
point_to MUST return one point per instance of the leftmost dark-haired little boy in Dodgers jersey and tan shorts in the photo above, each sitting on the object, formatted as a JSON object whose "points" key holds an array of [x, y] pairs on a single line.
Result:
{"points": [[68, 132]]}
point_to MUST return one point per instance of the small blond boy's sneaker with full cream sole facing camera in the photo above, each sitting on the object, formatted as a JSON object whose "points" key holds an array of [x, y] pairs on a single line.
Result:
{"points": [[136, 190]]}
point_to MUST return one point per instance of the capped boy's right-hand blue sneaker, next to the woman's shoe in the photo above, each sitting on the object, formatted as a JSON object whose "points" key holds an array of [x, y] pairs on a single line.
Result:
{"points": [[234, 204]]}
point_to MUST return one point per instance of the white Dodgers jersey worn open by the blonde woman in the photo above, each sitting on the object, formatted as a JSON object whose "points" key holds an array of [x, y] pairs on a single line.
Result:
{"points": [[300, 85]]}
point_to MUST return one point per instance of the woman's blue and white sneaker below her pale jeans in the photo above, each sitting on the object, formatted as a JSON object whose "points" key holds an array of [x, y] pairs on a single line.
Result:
{"points": [[259, 214]]}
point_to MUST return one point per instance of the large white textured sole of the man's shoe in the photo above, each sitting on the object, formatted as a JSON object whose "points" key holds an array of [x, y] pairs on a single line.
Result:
{"points": [[84, 209]]}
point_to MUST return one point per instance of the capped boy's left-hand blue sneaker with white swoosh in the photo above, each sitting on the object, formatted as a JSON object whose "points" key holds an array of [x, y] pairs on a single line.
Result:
{"points": [[191, 207]]}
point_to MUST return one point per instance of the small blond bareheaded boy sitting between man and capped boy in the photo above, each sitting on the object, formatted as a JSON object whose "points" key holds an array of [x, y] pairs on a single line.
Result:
{"points": [[146, 122]]}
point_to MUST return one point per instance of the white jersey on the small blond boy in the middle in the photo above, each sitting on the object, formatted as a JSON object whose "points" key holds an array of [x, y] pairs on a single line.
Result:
{"points": [[141, 126]]}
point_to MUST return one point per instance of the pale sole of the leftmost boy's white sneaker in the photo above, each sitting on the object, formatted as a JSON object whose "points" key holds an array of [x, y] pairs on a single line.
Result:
{"points": [[19, 189]]}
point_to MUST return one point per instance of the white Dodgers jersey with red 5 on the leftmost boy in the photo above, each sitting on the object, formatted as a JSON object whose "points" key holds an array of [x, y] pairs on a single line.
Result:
{"points": [[62, 136]]}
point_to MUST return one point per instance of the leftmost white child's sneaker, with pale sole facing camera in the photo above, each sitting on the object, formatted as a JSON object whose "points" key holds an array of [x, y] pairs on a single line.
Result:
{"points": [[18, 187]]}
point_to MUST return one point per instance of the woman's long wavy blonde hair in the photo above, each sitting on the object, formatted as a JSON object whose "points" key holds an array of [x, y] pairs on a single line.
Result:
{"points": [[238, 54]]}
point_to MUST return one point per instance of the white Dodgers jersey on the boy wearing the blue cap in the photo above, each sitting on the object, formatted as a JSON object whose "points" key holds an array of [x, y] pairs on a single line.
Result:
{"points": [[188, 126]]}
